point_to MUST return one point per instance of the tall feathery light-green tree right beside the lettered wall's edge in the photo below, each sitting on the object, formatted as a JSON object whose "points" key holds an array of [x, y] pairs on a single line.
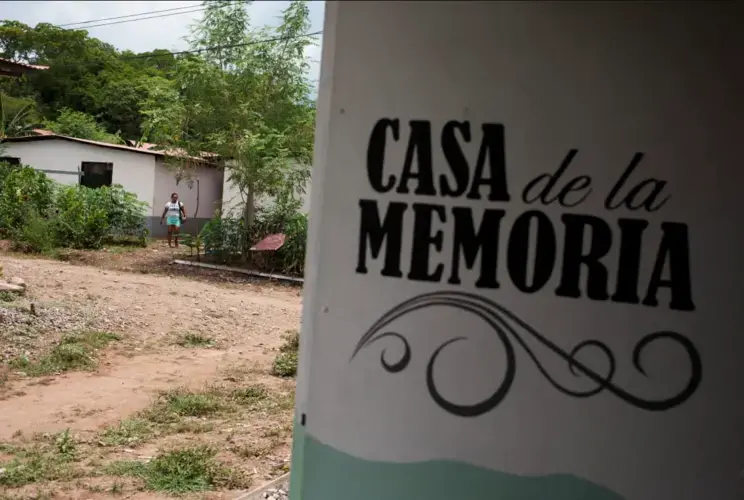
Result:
{"points": [[248, 101]]}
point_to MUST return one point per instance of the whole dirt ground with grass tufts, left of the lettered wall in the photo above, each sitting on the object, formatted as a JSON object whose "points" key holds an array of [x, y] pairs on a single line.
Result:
{"points": [[208, 338]]}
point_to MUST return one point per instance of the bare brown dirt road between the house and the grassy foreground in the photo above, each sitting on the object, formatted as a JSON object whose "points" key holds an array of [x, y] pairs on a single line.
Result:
{"points": [[151, 312]]}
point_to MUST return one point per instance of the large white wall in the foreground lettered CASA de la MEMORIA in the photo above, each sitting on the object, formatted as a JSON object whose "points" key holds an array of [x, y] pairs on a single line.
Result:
{"points": [[526, 254]]}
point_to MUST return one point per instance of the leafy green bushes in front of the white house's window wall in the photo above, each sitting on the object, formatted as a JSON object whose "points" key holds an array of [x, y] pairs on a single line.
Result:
{"points": [[39, 215]]}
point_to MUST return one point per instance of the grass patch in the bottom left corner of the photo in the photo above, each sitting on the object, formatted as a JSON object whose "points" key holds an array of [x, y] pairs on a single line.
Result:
{"points": [[42, 463]]}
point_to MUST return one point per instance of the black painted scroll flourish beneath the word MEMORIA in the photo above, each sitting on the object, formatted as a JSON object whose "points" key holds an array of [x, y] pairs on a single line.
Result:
{"points": [[509, 328]]}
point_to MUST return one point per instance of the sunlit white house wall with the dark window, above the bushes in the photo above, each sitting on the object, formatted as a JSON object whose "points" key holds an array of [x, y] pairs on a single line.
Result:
{"points": [[134, 171]]}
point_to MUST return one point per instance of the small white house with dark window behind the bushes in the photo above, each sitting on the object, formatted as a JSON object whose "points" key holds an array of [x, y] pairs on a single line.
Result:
{"points": [[143, 171]]}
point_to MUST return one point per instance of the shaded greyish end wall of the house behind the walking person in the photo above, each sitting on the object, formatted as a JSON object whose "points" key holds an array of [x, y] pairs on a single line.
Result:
{"points": [[209, 190]]}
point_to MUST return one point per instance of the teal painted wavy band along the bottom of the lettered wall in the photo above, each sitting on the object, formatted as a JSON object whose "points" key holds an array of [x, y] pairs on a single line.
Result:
{"points": [[320, 472]]}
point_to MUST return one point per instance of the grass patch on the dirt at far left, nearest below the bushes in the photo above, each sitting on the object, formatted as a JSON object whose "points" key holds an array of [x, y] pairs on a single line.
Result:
{"points": [[73, 352]]}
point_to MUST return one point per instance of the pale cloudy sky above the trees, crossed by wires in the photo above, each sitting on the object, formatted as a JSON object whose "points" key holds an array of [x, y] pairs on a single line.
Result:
{"points": [[159, 33]]}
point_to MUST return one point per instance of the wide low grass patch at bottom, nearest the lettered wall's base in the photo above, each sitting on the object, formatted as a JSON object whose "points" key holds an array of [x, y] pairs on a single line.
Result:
{"points": [[182, 471]]}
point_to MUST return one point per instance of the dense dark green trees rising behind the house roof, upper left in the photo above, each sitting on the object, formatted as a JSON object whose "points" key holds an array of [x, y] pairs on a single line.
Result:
{"points": [[84, 75]]}
